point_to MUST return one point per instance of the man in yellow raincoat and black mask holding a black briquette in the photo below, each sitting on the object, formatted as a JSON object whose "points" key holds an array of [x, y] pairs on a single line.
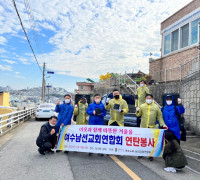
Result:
{"points": [[118, 107]]}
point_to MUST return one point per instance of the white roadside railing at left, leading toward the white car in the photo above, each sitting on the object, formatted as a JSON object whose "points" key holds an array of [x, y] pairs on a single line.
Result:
{"points": [[10, 120]]}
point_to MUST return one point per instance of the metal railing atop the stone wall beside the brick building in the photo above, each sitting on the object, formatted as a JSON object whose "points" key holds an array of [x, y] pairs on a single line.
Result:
{"points": [[178, 73]]}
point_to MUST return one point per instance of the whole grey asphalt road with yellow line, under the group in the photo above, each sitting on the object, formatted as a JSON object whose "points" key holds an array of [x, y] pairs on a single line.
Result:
{"points": [[19, 160]]}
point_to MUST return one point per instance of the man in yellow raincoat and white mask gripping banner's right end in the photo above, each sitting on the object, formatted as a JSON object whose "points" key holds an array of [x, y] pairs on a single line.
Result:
{"points": [[149, 112]]}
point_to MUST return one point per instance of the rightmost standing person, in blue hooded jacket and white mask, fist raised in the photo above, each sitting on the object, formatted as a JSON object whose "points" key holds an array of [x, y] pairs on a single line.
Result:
{"points": [[170, 116]]}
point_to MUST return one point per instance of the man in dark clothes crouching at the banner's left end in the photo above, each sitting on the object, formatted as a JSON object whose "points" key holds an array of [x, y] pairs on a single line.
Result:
{"points": [[47, 137]]}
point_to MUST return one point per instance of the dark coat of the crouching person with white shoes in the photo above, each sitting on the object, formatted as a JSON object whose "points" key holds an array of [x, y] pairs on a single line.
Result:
{"points": [[174, 159]]}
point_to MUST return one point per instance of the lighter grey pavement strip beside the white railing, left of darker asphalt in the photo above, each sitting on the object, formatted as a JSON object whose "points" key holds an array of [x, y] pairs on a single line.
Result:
{"points": [[21, 160]]}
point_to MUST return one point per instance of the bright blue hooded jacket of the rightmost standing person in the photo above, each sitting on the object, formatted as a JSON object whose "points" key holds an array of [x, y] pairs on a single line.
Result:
{"points": [[170, 117]]}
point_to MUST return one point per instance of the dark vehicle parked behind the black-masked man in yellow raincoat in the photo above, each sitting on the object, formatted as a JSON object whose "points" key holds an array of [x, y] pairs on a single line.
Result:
{"points": [[130, 119]]}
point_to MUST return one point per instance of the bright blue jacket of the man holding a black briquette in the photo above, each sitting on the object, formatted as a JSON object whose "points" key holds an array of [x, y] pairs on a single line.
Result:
{"points": [[96, 119]]}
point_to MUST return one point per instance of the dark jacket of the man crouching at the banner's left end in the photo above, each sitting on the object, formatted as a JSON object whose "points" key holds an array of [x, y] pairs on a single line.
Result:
{"points": [[45, 136]]}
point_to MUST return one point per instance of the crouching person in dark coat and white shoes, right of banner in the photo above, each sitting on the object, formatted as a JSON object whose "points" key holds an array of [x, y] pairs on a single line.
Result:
{"points": [[173, 154]]}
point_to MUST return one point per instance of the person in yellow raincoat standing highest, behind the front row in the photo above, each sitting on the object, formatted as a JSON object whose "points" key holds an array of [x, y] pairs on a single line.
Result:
{"points": [[141, 93]]}
